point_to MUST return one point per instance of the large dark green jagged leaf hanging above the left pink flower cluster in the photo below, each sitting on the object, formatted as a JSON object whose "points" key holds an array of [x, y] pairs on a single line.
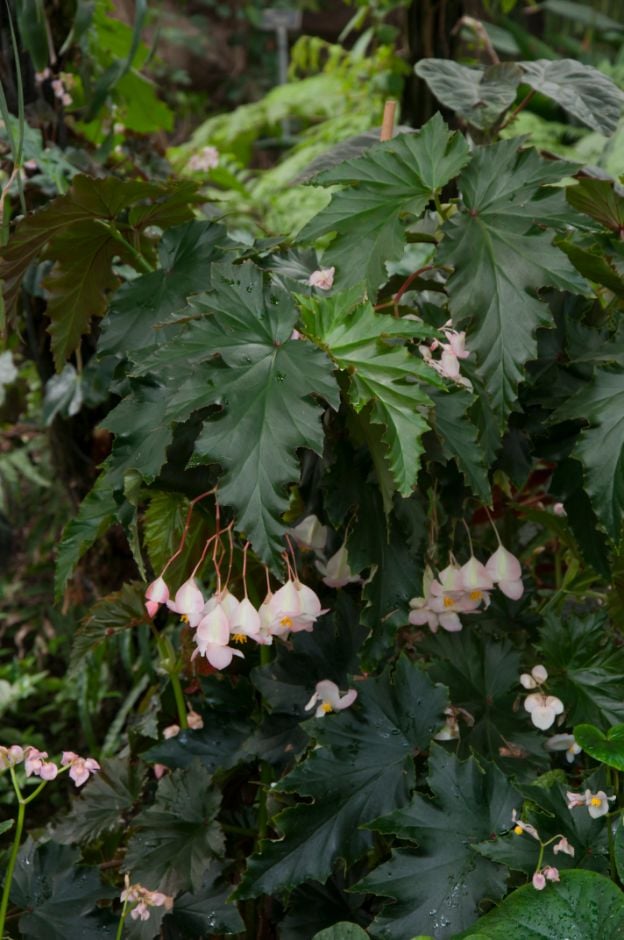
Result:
{"points": [[240, 357]]}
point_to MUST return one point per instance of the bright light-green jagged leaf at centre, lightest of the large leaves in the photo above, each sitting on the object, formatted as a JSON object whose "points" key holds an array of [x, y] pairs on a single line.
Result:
{"points": [[382, 373]]}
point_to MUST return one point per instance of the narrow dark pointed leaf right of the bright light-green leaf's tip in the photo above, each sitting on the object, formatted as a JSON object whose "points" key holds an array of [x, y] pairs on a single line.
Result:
{"points": [[460, 440]]}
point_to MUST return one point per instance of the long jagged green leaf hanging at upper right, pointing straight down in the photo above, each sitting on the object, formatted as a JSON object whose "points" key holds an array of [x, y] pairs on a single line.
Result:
{"points": [[501, 259]]}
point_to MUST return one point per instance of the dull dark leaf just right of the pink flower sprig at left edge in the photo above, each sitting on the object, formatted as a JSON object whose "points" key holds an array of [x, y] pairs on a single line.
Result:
{"points": [[104, 802]]}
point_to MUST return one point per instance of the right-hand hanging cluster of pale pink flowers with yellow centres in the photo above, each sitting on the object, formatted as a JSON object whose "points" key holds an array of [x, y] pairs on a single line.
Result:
{"points": [[465, 590]]}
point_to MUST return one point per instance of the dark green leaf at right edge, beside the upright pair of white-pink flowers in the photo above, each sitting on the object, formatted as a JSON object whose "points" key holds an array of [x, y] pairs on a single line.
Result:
{"points": [[586, 667]]}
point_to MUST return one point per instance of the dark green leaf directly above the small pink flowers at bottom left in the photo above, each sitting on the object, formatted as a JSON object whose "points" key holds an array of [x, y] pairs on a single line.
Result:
{"points": [[177, 837]]}
